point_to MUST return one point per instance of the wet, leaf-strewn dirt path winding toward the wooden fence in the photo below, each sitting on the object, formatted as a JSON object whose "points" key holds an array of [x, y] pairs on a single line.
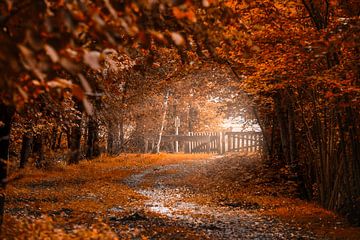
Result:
{"points": [[169, 190]]}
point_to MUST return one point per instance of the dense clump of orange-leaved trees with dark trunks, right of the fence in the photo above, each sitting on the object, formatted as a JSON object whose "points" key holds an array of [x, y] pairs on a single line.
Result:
{"points": [[295, 61]]}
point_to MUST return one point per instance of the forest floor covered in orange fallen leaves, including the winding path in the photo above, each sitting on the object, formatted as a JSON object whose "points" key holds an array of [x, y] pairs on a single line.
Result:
{"points": [[164, 196]]}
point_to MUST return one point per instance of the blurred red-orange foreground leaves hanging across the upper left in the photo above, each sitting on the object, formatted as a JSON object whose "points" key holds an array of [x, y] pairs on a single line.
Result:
{"points": [[54, 37]]}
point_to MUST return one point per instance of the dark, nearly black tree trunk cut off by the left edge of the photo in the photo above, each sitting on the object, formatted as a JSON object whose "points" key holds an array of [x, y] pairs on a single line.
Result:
{"points": [[6, 114]]}
